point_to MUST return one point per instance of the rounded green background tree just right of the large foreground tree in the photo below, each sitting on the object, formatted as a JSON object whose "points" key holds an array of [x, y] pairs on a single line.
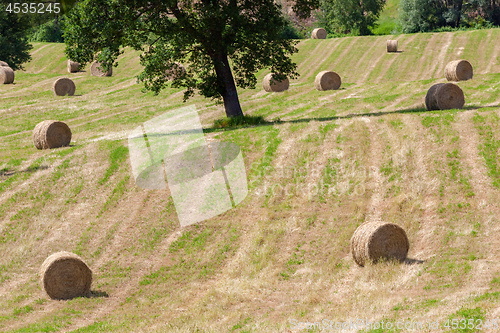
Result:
{"points": [[350, 16]]}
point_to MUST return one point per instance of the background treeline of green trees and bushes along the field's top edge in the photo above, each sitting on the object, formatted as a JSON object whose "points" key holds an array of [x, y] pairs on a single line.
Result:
{"points": [[338, 17]]}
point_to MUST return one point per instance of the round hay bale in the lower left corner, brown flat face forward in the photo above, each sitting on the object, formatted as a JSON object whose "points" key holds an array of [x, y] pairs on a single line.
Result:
{"points": [[65, 275]]}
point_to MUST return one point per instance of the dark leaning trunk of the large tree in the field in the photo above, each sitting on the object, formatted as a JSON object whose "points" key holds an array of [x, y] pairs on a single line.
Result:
{"points": [[228, 91]]}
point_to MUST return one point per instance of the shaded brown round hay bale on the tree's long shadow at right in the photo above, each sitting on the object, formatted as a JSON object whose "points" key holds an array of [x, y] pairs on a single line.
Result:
{"points": [[444, 96]]}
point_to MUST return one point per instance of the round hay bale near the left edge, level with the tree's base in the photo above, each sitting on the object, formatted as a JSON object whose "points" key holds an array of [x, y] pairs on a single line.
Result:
{"points": [[51, 134]]}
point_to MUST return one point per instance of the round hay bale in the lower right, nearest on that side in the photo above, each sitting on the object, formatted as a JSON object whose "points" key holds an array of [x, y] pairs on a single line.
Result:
{"points": [[373, 241]]}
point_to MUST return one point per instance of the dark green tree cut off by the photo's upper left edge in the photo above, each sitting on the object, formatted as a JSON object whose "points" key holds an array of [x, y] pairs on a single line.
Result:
{"points": [[14, 46]]}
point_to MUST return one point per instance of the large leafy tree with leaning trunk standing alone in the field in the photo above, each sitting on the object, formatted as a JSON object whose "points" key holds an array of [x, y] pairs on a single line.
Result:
{"points": [[210, 36]]}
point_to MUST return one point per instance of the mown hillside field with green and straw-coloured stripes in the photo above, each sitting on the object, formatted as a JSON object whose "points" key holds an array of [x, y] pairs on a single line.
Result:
{"points": [[335, 160]]}
